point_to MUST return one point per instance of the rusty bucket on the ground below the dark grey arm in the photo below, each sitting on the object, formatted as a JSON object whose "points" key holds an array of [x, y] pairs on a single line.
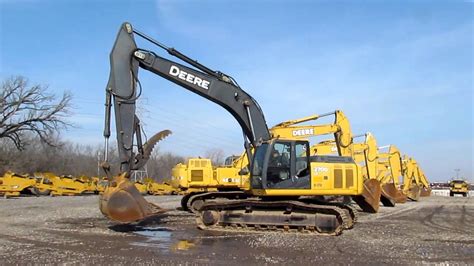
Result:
{"points": [[122, 202]]}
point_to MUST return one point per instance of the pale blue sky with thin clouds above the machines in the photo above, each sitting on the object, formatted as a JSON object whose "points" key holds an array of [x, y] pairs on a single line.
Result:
{"points": [[402, 70]]}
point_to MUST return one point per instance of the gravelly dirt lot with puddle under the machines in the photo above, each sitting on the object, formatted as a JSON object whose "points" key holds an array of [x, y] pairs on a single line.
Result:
{"points": [[72, 230]]}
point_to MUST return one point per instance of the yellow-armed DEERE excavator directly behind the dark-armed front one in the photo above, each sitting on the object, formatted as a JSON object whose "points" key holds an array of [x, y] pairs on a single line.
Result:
{"points": [[235, 177]]}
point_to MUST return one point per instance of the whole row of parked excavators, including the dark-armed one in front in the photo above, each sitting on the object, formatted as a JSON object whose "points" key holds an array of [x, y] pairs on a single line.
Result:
{"points": [[276, 184]]}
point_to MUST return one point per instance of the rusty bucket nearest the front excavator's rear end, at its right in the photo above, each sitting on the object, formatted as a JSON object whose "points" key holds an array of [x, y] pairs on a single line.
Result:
{"points": [[369, 201]]}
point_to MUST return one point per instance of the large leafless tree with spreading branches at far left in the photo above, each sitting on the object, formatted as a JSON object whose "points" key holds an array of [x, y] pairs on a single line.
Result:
{"points": [[25, 109]]}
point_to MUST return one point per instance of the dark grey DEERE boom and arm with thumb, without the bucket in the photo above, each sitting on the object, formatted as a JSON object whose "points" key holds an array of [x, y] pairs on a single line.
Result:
{"points": [[126, 60]]}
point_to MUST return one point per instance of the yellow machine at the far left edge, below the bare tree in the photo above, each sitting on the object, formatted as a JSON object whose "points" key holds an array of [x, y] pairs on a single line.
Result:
{"points": [[12, 184]]}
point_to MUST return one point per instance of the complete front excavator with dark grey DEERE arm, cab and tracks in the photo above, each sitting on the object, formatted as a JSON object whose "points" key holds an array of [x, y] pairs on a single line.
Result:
{"points": [[283, 176]]}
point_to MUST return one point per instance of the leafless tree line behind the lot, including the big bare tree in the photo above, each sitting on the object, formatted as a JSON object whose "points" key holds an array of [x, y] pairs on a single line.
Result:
{"points": [[31, 122]]}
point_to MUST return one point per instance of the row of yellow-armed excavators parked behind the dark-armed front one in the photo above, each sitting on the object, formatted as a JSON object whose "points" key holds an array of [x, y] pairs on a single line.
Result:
{"points": [[388, 177]]}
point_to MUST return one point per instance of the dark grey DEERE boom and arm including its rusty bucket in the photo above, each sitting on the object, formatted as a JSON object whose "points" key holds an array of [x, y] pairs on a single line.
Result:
{"points": [[121, 201]]}
